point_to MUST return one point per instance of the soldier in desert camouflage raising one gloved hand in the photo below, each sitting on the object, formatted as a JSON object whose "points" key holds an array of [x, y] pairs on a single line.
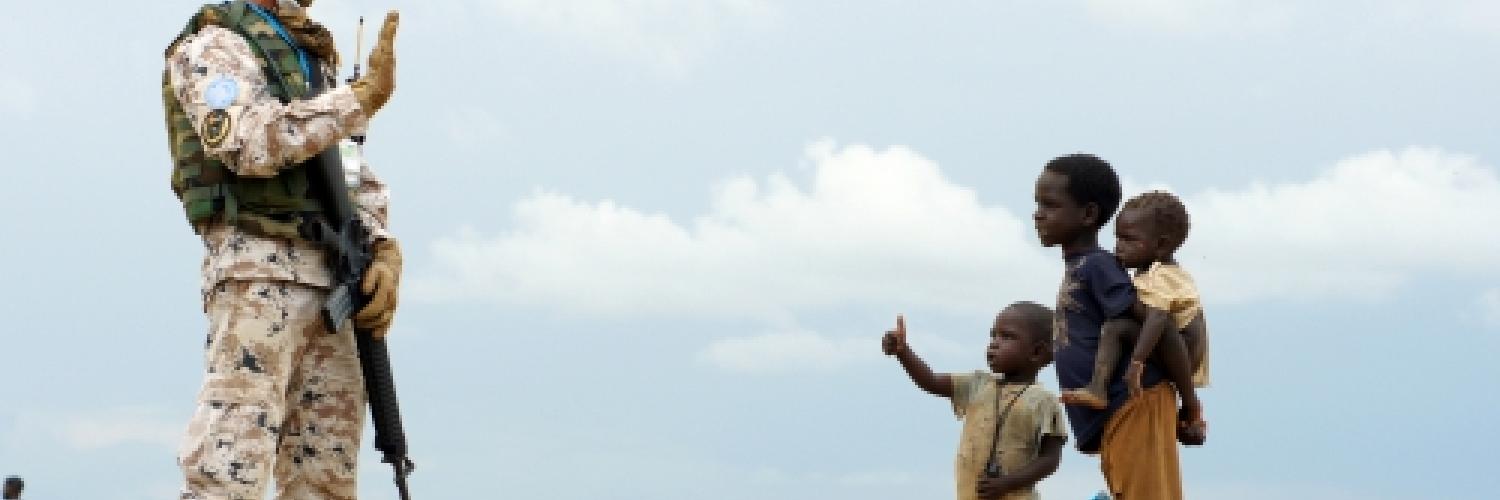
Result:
{"points": [[283, 396]]}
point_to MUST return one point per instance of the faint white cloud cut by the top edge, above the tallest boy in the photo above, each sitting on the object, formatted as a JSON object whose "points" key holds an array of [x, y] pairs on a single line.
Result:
{"points": [[1195, 16]]}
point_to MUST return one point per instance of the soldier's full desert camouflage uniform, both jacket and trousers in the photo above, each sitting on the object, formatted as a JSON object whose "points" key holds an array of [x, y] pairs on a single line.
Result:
{"points": [[283, 396]]}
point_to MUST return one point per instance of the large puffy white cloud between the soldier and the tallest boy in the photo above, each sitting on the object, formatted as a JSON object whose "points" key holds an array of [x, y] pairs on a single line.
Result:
{"points": [[880, 227]]}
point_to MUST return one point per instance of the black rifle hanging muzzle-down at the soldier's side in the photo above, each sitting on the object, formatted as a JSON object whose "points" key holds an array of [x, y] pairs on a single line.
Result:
{"points": [[347, 244]]}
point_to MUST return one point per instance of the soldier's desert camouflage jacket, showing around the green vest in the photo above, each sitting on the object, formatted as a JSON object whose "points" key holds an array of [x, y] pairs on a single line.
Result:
{"points": [[265, 136]]}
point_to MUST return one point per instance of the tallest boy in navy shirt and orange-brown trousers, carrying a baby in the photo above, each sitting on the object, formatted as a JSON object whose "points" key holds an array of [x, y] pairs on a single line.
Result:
{"points": [[1136, 438]]}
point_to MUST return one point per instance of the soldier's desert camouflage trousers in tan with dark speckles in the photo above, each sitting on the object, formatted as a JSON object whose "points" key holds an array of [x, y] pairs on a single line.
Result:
{"points": [[283, 399]]}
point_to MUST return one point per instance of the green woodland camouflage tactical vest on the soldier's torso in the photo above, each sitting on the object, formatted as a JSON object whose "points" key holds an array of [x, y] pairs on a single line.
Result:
{"points": [[208, 188]]}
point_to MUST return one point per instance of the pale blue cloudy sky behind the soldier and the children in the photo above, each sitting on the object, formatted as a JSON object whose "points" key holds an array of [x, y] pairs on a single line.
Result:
{"points": [[652, 245]]}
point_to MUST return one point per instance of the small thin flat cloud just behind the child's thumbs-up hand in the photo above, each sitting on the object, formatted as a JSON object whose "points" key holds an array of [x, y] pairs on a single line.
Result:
{"points": [[802, 352]]}
